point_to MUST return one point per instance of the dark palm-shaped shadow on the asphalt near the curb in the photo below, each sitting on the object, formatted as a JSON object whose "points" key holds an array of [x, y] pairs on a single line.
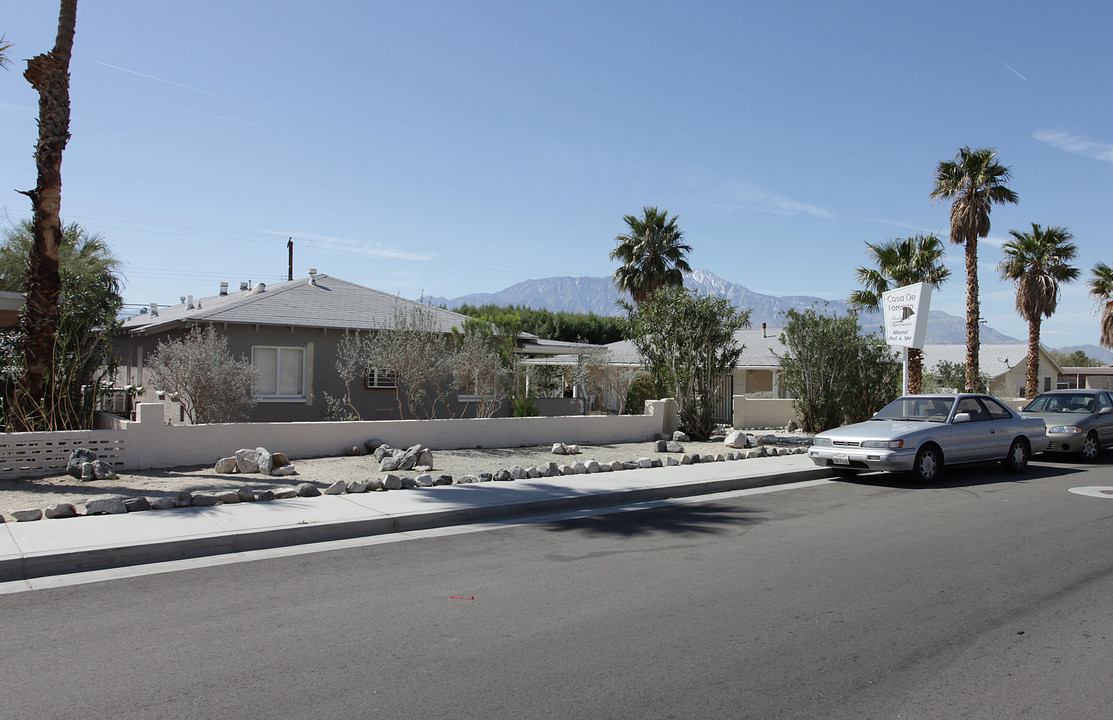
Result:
{"points": [[698, 519]]}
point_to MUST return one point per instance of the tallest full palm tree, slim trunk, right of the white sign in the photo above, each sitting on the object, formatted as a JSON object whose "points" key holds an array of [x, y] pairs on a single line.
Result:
{"points": [[974, 182]]}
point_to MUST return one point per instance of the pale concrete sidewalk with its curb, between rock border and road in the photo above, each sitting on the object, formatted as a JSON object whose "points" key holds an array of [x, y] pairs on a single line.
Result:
{"points": [[56, 547]]}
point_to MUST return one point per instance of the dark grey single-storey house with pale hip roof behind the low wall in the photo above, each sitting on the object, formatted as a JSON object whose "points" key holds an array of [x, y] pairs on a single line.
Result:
{"points": [[291, 332]]}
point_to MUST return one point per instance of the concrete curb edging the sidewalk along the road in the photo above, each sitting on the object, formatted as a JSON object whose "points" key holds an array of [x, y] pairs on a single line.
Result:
{"points": [[29, 566]]}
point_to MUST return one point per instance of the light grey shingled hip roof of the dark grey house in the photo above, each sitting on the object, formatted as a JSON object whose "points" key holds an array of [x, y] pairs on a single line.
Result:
{"points": [[319, 302]]}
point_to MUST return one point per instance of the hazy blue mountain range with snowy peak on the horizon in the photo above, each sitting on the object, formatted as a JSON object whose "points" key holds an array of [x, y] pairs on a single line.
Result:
{"points": [[599, 295]]}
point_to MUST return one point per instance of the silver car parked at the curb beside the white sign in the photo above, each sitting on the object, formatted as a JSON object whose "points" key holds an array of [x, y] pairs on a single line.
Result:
{"points": [[919, 435]]}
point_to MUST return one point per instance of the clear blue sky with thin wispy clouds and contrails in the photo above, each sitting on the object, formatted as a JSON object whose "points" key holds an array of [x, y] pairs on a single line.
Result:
{"points": [[448, 149]]}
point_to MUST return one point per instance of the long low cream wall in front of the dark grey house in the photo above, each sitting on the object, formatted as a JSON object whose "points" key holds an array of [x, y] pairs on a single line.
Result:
{"points": [[149, 443]]}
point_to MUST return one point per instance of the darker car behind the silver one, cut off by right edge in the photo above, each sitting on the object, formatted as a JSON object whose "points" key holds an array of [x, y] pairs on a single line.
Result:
{"points": [[1079, 421]]}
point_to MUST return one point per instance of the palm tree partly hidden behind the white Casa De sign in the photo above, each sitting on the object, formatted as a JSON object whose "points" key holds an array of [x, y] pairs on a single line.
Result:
{"points": [[899, 263]]}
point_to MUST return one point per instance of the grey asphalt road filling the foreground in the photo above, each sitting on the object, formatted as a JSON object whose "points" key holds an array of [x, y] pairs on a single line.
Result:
{"points": [[987, 596]]}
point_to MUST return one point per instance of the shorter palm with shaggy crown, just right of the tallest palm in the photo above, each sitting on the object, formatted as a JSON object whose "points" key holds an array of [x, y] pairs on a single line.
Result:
{"points": [[1038, 262]]}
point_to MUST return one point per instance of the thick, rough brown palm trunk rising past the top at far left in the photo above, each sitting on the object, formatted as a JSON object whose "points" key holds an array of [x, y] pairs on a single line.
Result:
{"points": [[50, 75]]}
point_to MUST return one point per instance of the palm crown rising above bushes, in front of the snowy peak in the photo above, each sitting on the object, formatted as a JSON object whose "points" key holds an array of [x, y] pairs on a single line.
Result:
{"points": [[653, 254]]}
